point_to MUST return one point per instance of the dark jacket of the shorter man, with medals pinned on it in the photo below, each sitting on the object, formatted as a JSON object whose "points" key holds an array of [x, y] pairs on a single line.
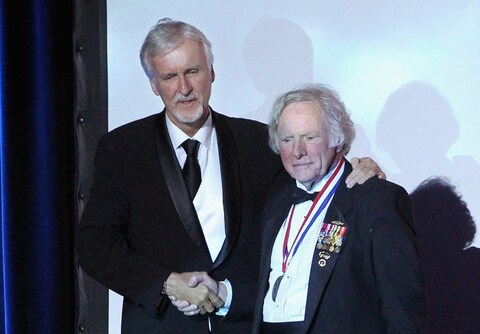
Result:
{"points": [[375, 284]]}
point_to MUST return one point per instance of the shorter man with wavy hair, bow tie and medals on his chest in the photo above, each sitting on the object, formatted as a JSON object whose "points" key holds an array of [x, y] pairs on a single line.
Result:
{"points": [[334, 260]]}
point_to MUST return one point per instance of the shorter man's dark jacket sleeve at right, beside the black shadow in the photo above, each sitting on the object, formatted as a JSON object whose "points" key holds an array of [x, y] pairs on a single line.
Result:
{"points": [[397, 267]]}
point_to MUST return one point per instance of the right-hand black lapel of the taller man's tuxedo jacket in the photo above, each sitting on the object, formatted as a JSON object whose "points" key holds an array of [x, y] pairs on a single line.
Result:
{"points": [[231, 186]]}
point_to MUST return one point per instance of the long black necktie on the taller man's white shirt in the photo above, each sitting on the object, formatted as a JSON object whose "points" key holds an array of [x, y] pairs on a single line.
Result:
{"points": [[191, 170]]}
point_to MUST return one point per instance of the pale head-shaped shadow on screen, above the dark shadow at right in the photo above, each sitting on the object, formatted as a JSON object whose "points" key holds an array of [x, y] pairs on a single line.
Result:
{"points": [[417, 127]]}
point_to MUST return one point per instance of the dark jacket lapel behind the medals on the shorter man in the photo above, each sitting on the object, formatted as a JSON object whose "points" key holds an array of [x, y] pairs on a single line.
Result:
{"points": [[324, 260]]}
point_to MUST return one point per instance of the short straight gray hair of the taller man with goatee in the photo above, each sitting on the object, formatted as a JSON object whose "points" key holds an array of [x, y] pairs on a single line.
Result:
{"points": [[166, 36]]}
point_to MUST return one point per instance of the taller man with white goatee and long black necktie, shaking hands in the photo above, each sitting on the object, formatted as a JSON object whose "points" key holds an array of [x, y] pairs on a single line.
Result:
{"points": [[180, 192]]}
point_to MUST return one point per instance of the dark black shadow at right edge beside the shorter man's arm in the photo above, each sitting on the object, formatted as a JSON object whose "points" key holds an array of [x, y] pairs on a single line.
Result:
{"points": [[445, 229]]}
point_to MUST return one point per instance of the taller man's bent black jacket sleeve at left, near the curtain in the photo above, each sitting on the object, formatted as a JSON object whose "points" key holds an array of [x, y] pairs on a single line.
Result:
{"points": [[103, 248]]}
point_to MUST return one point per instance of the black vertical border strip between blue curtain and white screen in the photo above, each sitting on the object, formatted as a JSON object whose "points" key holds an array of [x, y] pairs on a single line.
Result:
{"points": [[91, 121]]}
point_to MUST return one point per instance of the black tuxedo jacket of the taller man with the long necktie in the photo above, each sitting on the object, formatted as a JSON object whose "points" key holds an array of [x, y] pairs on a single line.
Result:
{"points": [[139, 224]]}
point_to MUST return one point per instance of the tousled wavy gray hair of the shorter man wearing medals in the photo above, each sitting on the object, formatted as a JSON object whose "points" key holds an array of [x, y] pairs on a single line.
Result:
{"points": [[340, 126]]}
